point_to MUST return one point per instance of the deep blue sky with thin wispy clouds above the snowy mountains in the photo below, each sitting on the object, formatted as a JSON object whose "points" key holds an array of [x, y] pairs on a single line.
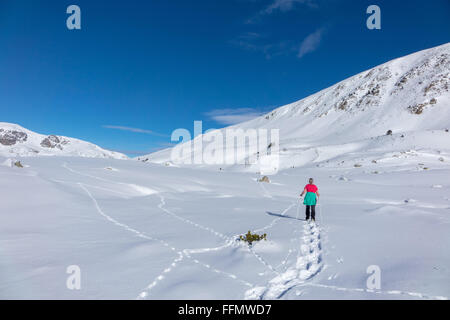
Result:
{"points": [[137, 69]]}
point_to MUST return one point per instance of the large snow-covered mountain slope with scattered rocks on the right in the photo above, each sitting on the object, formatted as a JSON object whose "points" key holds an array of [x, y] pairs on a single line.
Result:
{"points": [[409, 96]]}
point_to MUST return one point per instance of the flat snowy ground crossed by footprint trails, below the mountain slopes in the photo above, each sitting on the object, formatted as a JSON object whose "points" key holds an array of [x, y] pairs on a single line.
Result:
{"points": [[148, 231]]}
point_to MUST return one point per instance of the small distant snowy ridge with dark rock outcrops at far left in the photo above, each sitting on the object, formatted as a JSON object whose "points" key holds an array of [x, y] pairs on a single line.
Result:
{"points": [[18, 141]]}
